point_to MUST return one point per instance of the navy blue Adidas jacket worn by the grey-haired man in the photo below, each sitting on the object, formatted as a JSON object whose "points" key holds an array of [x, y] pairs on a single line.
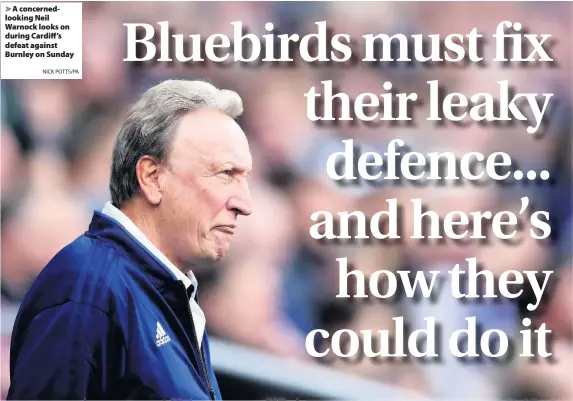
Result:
{"points": [[90, 325]]}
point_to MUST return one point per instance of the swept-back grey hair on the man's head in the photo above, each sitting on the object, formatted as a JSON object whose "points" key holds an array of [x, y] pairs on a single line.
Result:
{"points": [[151, 123]]}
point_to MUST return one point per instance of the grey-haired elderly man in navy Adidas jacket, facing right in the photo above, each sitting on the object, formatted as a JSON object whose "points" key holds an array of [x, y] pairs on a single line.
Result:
{"points": [[114, 315]]}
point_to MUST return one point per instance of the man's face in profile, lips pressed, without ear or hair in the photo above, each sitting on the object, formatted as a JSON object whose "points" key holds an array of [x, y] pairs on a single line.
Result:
{"points": [[205, 185]]}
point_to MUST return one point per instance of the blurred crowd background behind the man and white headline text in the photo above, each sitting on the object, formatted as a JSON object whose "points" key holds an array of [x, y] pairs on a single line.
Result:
{"points": [[56, 144]]}
